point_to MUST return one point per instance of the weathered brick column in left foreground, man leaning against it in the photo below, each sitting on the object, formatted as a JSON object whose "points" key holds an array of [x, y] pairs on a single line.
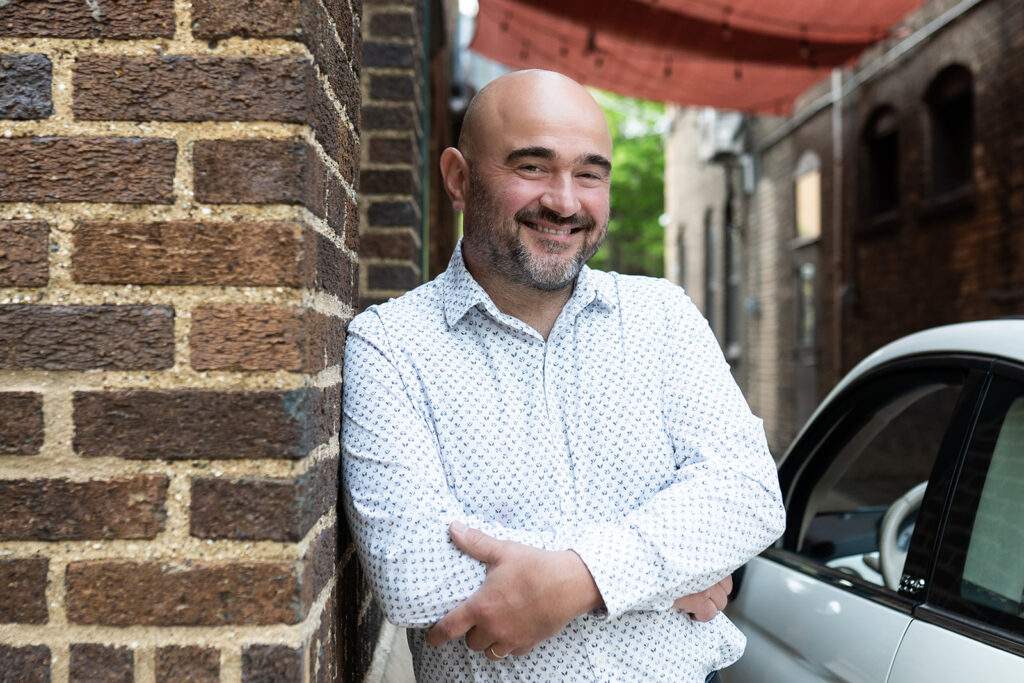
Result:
{"points": [[179, 259]]}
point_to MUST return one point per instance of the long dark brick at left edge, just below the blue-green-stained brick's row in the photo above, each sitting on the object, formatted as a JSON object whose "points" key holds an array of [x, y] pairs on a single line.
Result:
{"points": [[64, 510]]}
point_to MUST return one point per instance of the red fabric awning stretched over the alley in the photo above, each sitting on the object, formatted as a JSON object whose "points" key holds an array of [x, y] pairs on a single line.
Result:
{"points": [[753, 56]]}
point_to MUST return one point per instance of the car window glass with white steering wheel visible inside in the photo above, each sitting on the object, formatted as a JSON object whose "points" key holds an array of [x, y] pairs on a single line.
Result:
{"points": [[886, 455]]}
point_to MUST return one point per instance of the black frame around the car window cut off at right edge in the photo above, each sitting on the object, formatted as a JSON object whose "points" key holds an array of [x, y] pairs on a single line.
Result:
{"points": [[945, 607]]}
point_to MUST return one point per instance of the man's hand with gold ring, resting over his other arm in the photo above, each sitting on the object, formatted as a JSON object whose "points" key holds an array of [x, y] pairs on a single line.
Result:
{"points": [[529, 595]]}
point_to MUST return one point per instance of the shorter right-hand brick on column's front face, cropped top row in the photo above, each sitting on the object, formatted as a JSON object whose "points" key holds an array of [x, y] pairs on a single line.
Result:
{"points": [[248, 19]]}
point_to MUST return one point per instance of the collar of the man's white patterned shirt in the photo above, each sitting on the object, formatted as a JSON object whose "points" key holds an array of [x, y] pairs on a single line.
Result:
{"points": [[462, 292]]}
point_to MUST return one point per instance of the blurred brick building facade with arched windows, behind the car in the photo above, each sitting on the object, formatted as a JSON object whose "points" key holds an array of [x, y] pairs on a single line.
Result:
{"points": [[852, 225]]}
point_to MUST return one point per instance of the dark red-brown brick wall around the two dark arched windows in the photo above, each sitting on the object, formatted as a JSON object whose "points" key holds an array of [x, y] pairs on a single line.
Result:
{"points": [[941, 264]]}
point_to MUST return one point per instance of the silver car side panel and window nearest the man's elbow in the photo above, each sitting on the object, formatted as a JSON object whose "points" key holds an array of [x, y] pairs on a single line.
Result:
{"points": [[817, 608]]}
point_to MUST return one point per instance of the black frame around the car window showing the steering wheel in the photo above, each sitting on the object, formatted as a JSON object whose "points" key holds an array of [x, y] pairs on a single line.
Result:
{"points": [[817, 447]]}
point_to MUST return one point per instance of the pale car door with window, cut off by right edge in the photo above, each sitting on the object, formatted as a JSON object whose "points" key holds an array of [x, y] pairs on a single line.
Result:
{"points": [[971, 627]]}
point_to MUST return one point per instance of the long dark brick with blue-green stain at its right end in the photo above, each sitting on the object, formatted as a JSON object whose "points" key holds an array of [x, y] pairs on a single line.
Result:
{"points": [[194, 424]]}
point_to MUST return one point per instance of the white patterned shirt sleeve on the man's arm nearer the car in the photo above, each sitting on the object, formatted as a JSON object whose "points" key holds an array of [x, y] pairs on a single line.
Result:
{"points": [[724, 505]]}
